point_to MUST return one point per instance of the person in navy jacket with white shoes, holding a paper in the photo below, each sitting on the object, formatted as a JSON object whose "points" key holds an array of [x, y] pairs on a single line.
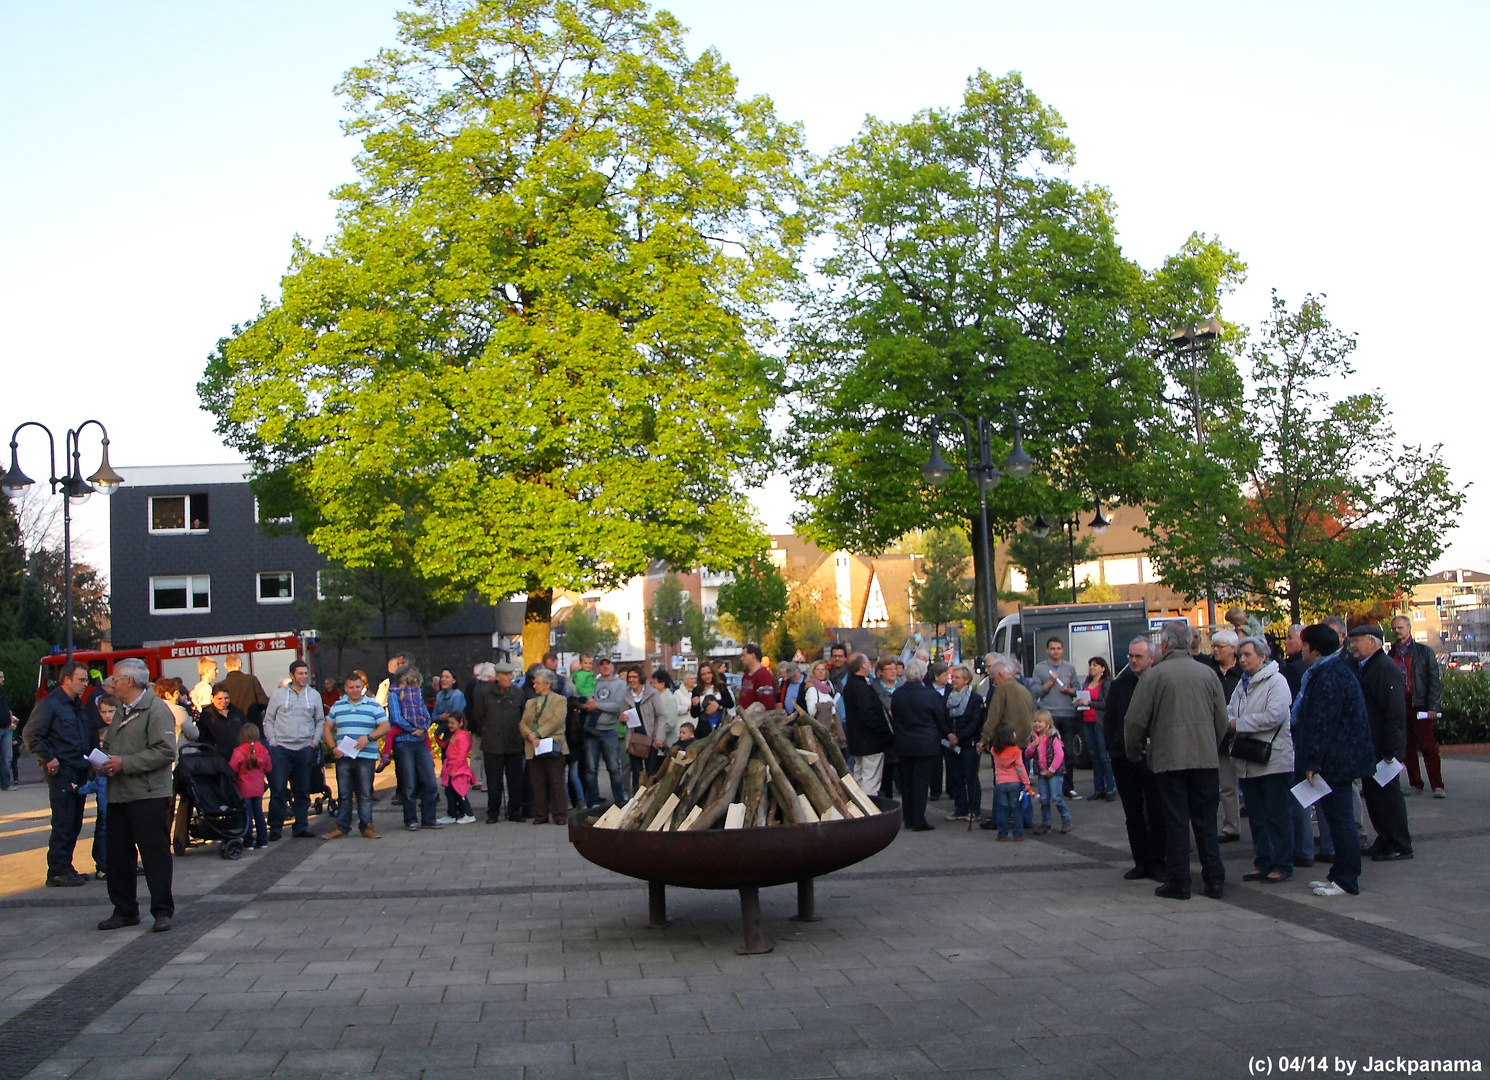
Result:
{"points": [[1333, 743]]}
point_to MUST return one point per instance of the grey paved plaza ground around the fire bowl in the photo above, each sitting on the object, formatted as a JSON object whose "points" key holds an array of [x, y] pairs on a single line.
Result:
{"points": [[495, 951]]}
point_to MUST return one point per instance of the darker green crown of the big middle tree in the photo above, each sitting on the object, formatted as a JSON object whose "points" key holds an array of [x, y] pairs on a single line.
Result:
{"points": [[971, 273]]}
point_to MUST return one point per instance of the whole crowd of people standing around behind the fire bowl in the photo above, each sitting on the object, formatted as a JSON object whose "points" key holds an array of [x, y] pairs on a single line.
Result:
{"points": [[1190, 743]]}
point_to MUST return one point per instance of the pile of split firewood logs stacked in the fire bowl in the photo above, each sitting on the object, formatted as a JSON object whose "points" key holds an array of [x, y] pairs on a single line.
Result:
{"points": [[762, 769]]}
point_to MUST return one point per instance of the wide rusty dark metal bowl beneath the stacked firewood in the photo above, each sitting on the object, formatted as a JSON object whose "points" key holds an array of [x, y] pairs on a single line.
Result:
{"points": [[737, 859]]}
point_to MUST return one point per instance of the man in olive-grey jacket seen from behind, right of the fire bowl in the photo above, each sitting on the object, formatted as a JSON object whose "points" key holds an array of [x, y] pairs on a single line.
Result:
{"points": [[1176, 722]]}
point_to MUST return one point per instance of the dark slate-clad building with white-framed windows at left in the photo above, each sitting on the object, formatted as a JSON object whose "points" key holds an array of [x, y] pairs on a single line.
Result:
{"points": [[190, 559]]}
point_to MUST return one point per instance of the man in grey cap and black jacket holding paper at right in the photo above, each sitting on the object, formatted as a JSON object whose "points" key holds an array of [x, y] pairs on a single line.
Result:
{"points": [[1386, 710]]}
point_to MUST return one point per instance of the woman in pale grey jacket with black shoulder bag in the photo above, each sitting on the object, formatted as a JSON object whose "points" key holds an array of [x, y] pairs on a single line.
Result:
{"points": [[1260, 711]]}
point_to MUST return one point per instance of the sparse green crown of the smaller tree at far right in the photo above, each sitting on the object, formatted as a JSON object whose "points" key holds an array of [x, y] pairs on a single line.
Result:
{"points": [[1302, 500]]}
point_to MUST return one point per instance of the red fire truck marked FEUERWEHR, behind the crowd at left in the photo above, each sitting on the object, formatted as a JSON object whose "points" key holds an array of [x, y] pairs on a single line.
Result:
{"points": [[267, 656]]}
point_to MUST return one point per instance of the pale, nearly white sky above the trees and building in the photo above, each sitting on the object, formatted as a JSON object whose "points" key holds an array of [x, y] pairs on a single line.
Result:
{"points": [[159, 157]]}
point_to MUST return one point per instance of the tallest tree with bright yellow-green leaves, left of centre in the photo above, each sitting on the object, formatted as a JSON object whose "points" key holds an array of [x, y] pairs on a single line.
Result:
{"points": [[562, 227]]}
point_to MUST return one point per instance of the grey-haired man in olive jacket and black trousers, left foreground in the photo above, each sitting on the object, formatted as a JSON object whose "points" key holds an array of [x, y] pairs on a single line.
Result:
{"points": [[141, 744]]}
